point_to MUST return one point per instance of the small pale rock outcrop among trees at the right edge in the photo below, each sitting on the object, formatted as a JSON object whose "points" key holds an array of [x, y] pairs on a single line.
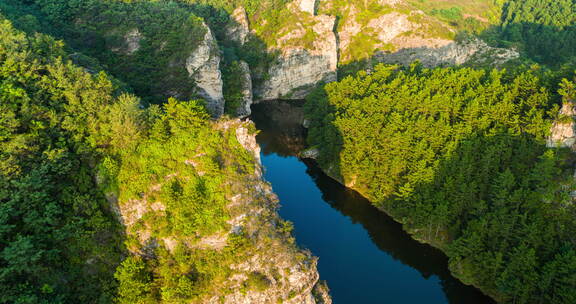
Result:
{"points": [[563, 133]]}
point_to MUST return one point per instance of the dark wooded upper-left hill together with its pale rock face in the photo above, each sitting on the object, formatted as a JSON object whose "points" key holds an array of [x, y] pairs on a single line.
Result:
{"points": [[159, 49]]}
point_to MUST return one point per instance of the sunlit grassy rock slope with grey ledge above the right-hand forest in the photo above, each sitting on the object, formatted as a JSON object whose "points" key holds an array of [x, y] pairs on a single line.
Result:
{"points": [[402, 36]]}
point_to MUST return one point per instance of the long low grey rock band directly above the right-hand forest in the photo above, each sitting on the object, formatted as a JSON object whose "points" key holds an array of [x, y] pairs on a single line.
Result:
{"points": [[455, 53]]}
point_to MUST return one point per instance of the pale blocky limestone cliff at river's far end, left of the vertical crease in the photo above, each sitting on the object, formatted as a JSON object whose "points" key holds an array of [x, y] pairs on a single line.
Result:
{"points": [[299, 69]]}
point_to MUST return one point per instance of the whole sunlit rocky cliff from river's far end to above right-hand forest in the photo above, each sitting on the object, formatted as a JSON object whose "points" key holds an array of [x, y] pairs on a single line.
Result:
{"points": [[310, 47]]}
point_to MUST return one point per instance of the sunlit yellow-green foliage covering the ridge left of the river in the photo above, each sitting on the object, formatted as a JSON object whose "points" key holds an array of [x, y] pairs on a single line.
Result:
{"points": [[182, 171]]}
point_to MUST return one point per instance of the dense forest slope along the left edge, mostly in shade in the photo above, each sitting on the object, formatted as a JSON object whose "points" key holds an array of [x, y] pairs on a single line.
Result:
{"points": [[58, 242]]}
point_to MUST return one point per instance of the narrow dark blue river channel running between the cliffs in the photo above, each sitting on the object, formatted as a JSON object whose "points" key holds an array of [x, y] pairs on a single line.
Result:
{"points": [[364, 255]]}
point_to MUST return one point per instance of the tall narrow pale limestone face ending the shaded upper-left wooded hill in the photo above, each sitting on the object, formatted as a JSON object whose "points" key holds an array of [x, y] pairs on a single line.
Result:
{"points": [[203, 65]]}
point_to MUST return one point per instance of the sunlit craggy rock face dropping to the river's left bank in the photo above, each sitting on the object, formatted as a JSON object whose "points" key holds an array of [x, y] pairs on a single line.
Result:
{"points": [[290, 273]]}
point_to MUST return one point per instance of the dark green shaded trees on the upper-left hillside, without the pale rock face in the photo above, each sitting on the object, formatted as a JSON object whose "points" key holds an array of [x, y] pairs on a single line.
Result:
{"points": [[165, 33]]}
